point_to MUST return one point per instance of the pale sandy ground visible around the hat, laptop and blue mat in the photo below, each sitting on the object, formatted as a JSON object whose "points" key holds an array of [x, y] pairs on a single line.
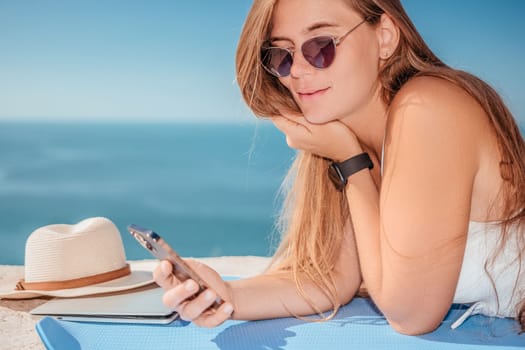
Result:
{"points": [[17, 326]]}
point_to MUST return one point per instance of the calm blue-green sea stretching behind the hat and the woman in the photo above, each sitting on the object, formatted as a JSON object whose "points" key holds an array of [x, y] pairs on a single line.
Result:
{"points": [[210, 190]]}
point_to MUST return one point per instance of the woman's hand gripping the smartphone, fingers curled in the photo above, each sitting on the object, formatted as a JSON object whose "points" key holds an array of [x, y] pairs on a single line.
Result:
{"points": [[185, 299]]}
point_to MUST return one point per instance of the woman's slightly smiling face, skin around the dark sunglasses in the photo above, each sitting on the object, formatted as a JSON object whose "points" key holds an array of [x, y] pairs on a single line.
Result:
{"points": [[349, 84]]}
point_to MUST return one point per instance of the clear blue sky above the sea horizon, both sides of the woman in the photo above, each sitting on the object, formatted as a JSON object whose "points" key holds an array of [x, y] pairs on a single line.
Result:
{"points": [[173, 60]]}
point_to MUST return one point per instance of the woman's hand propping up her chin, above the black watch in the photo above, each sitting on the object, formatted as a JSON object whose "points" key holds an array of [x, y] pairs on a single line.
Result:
{"points": [[333, 140]]}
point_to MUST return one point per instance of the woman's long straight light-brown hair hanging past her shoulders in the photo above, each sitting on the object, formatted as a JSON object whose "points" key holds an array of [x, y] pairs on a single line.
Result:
{"points": [[314, 213]]}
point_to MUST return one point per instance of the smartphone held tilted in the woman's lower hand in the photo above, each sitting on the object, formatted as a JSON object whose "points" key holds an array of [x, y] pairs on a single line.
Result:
{"points": [[160, 249]]}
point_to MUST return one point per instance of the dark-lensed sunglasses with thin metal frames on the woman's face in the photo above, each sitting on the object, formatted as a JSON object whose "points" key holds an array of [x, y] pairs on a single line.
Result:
{"points": [[318, 51]]}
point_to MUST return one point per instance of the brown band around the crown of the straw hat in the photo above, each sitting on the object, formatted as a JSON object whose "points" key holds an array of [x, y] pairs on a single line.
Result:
{"points": [[76, 282]]}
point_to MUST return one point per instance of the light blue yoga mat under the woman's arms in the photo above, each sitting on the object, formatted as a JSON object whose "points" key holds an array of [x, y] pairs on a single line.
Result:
{"points": [[358, 325]]}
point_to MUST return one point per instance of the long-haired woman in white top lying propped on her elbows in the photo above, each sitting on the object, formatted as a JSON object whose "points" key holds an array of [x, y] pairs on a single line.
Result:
{"points": [[427, 163]]}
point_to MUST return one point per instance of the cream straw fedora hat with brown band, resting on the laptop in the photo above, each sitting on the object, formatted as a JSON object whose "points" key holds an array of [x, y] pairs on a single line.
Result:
{"points": [[76, 260]]}
